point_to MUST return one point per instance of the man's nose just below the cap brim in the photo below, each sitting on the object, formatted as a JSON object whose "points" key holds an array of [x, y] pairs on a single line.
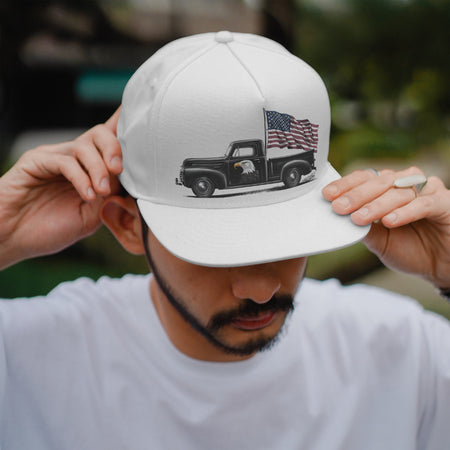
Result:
{"points": [[258, 283]]}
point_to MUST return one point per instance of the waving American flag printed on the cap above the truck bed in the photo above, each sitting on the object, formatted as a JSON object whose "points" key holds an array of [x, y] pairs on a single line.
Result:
{"points": [[285, 131]]}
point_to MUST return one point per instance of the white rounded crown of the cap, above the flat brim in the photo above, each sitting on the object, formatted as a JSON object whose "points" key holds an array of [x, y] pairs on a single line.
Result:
{"points": [[197, 96]]}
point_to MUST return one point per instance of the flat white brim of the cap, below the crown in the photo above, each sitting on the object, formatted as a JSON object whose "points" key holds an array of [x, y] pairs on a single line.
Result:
{"points": [[297, 227]]}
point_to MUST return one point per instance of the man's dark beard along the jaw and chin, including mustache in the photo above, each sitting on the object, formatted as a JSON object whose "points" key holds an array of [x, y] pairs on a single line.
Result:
{"points": [[247, 308]]}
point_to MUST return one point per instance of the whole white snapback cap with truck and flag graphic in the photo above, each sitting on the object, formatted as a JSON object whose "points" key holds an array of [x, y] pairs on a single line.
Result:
{"points": [[225, 144]]}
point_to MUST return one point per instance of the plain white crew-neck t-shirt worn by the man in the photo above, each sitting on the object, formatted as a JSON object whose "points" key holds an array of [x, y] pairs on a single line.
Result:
{"points": [[90, 367]]}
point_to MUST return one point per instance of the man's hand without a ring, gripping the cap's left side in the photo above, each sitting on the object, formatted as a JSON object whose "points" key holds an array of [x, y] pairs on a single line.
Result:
{"points": [[51, 197]]}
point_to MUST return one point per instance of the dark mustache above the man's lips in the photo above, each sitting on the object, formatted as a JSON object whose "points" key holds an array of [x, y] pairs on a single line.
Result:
{"points": [[249, 308]]}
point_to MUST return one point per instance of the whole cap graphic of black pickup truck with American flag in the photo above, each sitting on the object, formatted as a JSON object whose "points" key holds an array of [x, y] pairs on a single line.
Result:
{"points": [[292, 145]]}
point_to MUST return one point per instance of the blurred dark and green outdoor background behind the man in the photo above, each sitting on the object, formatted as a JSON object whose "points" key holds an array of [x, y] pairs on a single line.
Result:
{"points": [[64, 63]]}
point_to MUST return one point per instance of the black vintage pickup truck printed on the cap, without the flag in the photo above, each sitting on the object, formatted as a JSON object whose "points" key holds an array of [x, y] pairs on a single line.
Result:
{"points": [[245, 164]]}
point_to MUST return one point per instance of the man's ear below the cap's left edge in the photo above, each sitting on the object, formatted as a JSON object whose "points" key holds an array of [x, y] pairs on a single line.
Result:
{"points": [[121, 216]]}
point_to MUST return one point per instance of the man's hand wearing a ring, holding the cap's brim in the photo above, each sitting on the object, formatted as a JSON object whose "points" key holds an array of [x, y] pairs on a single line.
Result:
{"points": [[410, 232]]}
